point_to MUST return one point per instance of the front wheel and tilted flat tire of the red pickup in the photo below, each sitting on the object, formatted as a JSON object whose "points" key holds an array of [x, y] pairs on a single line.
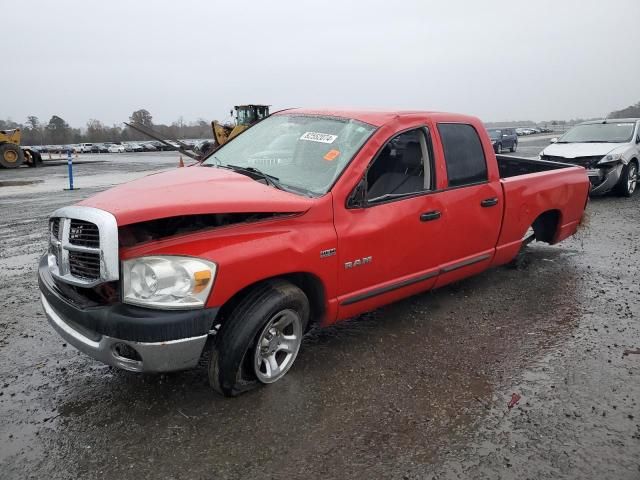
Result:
{"points": [[237, 363]]}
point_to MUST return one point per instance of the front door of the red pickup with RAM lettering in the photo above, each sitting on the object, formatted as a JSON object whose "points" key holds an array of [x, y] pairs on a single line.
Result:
{"points": [[388, 245]]}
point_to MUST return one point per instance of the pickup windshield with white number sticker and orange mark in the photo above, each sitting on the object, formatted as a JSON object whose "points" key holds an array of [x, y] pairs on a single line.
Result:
{"points": [[305, 153]]}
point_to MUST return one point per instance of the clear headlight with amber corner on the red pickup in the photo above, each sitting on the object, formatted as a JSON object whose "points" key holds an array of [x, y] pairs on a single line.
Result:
{"points": [[167, 282]]}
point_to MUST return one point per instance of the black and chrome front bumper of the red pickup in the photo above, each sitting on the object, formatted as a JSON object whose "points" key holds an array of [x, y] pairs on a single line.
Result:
{"points": [[149, 340]]}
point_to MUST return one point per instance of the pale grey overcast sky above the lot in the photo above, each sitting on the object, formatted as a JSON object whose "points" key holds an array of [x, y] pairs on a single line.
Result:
{"points": [[499, 60]]}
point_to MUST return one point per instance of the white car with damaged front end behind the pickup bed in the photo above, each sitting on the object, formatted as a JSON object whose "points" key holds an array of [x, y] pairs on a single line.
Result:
{"points": [[609, 149]]}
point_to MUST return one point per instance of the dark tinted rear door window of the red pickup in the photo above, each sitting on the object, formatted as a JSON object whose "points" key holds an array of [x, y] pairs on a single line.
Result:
{"points": [[463, 154]]}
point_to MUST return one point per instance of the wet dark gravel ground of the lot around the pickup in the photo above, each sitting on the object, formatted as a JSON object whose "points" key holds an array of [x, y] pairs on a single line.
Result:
{"points": [[419, 389]]}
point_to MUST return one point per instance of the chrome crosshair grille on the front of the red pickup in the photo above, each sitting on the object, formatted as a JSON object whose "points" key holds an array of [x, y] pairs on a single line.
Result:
{"points": [[83, 246]]}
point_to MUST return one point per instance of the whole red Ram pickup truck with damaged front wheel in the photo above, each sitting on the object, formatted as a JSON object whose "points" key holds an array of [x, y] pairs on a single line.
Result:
{"points": [[307, 218]]}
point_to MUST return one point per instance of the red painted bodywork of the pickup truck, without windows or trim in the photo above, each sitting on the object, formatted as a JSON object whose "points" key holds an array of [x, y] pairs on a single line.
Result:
{"points": [[400, 244]]}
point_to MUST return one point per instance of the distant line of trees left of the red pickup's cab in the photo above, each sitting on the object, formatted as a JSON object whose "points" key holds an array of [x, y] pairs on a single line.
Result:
{"points": [[58, 132]]}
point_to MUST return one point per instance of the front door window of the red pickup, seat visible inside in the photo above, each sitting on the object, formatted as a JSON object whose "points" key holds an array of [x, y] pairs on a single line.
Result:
{"points": [[402, 167]]}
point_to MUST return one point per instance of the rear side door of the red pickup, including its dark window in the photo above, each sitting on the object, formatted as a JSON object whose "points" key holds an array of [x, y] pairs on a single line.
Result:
{"points": [[473, 203]]}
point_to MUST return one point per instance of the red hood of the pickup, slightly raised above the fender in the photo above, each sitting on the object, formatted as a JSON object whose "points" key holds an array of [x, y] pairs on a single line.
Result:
{"points": [[191, 191]]}
